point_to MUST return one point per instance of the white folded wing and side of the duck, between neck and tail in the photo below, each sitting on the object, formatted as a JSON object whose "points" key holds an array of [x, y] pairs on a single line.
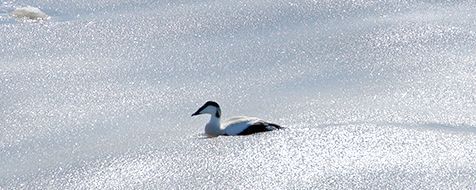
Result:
{"points": [[236, 125]]}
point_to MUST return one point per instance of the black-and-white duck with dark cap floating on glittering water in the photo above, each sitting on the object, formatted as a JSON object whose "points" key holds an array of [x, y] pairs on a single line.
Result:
{"points": [[238, 125]]}
